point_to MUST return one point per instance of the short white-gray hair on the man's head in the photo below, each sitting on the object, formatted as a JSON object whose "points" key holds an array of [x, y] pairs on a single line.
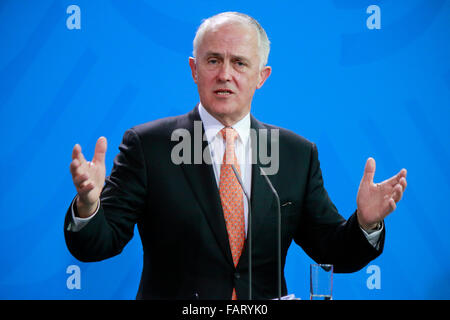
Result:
{"points": [[263, 40]]}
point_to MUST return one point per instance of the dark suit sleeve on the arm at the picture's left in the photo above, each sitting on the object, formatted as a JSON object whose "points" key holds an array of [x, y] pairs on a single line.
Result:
{"points": [[122, 201]]}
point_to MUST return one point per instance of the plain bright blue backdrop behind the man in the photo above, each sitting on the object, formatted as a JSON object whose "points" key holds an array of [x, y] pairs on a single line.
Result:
{"points": [[355, 92]]}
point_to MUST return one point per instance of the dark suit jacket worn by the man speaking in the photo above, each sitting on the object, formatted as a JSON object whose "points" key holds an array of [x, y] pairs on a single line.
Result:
{"points": [[180, 219]]}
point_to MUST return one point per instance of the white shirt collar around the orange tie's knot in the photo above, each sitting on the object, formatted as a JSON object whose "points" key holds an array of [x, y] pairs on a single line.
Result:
{"points": [[213, 126]]}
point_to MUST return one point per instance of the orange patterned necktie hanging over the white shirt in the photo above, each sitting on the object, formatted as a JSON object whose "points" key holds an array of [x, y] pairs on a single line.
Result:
{"points": [[231, 197]]}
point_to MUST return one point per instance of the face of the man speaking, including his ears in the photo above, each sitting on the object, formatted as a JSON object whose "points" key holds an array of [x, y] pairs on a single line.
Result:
{"points": [[226, 70]]}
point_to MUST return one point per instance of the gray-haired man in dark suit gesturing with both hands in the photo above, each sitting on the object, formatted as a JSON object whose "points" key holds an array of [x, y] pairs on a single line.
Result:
{"points": [[193, 217]]}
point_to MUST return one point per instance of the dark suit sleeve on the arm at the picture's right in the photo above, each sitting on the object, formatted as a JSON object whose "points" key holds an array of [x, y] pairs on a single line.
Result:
{"points": [[325, 235]]}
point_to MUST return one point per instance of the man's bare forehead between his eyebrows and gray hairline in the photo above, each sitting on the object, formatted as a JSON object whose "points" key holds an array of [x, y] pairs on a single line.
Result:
{"points": [[230, 37]]}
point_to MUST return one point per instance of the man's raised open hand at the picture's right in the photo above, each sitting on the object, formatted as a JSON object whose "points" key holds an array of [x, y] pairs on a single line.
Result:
{"points": [[376, 201]]}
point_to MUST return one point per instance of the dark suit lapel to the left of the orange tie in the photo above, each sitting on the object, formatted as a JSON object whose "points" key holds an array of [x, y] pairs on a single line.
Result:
{"points": [[203, 183]]}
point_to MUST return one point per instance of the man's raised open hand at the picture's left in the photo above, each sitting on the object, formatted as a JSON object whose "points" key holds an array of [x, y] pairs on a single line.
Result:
{"points": [[88, 177]]}
